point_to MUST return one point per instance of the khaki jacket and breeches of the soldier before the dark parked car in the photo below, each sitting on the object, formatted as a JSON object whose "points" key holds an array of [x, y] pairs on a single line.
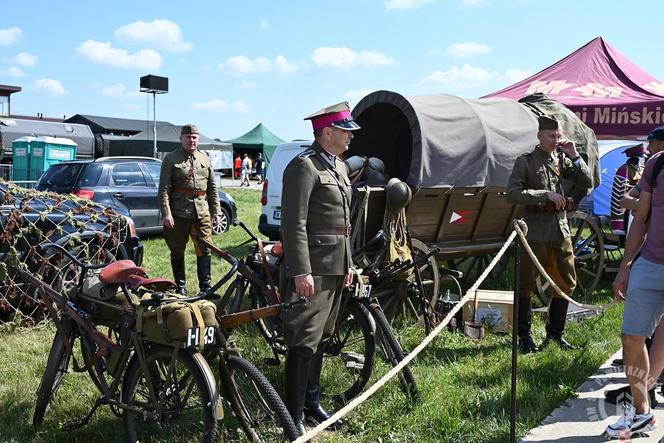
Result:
{"points": [[188, 192]]}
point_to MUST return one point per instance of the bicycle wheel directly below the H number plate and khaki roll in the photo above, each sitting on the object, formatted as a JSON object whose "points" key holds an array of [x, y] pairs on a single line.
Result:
{"points": [[186, 397]]}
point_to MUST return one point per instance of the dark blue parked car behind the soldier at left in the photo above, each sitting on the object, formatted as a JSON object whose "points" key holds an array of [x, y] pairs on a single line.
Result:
{"points": [[127, 184]]}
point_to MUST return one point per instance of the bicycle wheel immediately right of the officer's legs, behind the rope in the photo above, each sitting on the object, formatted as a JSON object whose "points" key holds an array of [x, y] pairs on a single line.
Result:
{"points": [[349, 354]]}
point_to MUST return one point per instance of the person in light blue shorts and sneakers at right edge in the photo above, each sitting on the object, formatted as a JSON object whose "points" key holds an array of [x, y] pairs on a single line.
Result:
{"points": [[640, 282]]}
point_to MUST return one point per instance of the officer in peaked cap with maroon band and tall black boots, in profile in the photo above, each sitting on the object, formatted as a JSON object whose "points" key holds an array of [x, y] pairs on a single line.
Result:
{"points": [[315, 228]]}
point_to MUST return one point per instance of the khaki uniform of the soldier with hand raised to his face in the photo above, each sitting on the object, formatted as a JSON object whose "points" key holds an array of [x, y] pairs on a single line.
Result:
{"points": [[548, 230]]}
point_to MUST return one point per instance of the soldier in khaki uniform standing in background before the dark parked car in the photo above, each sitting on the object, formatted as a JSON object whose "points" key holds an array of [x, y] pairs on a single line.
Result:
{"points": [[189, 201]]}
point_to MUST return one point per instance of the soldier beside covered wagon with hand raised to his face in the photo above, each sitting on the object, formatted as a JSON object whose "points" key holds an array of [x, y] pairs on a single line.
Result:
{"points": [[540, 180]]}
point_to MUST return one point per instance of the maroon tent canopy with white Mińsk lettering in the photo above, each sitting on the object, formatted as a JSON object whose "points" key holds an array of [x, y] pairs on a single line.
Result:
{"points": [[604, 88]]}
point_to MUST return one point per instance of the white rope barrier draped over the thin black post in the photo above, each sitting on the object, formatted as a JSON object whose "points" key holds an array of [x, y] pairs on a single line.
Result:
{"points": [[519, 226]]}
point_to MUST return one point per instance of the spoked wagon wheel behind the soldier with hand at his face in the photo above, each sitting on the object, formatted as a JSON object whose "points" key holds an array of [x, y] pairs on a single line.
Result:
{"points": [[588, 241]]}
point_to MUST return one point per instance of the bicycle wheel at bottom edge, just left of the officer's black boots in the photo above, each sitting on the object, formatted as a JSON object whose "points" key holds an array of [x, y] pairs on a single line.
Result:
{"points": [[256, 404]]}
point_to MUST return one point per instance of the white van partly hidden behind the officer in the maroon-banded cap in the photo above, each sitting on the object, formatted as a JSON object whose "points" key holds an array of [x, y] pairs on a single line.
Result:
{"points": [[270, 219]]}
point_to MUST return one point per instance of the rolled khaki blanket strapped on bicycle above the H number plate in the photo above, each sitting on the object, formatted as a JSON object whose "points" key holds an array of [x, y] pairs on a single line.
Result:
{"points": [[169, 322]]}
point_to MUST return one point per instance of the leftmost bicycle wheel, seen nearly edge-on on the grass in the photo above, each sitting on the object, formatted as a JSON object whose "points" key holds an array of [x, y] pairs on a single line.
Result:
{"points": [[56, 368]]}
